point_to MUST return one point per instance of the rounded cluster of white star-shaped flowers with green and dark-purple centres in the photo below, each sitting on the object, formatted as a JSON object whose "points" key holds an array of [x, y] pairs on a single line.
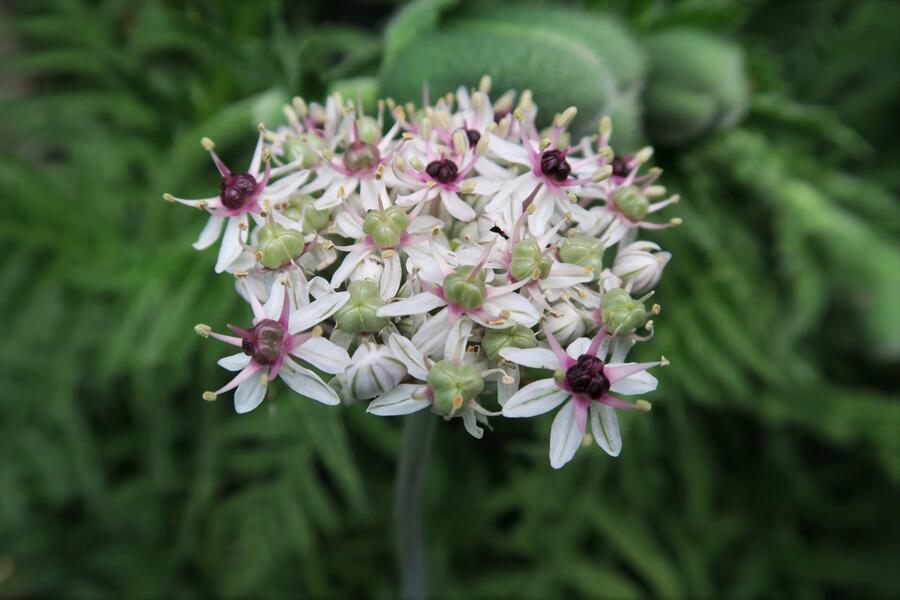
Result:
{"points": [[459, 260]]}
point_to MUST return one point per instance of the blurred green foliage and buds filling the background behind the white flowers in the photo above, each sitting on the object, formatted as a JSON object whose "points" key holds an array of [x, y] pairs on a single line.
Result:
{"points": [[770, 466]]}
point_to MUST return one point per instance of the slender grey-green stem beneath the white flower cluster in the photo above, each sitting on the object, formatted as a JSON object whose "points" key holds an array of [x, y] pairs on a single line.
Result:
{"points": [[417, 433]]}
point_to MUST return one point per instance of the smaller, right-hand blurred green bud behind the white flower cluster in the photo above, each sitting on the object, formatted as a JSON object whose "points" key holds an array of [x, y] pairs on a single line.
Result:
{"points": [[696, 85]]}
